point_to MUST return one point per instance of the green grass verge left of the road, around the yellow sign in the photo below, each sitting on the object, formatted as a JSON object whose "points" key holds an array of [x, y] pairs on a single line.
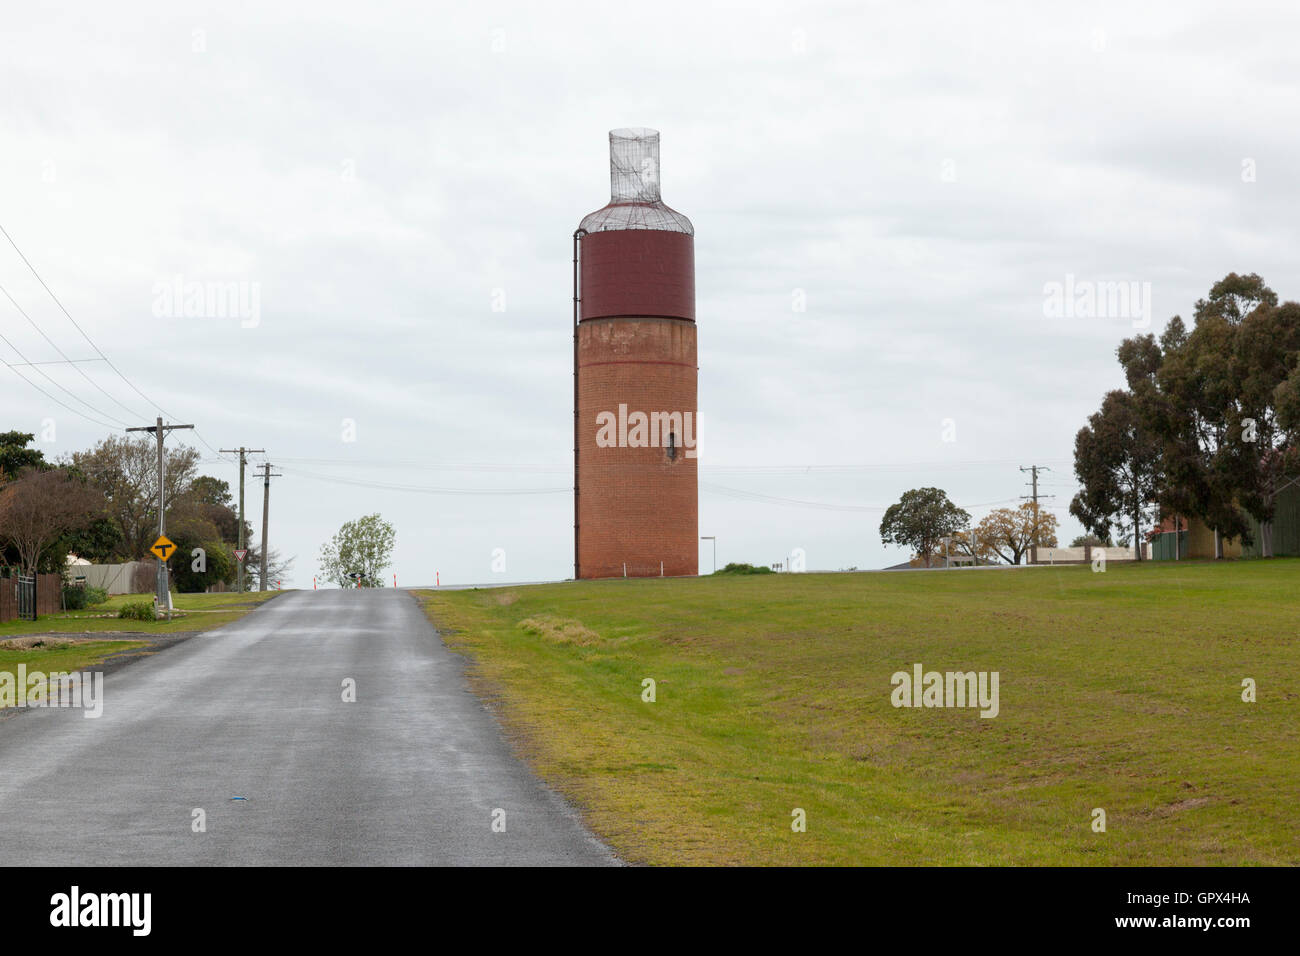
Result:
{"points": [[76, 641]]}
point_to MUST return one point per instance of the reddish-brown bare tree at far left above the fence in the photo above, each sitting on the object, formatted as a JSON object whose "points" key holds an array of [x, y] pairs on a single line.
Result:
{"points": [[41, 508]]}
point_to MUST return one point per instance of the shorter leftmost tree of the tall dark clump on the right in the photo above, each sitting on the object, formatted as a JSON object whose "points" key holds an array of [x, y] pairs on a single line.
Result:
{"points": [[1117, 461]]}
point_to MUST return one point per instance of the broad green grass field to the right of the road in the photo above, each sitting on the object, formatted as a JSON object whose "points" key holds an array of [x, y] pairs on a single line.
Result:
{"points": [[1120, 691]]}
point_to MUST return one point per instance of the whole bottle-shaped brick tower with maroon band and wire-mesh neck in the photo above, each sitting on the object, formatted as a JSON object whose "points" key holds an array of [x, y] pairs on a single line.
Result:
{"points": [[636, 495]]}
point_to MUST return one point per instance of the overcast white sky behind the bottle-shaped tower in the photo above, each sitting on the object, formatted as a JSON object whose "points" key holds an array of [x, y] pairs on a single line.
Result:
{"points": [[384, 174]]}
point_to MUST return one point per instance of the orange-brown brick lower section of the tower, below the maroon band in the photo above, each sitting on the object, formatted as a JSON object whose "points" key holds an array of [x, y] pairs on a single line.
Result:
{"points": [[636, 505]]}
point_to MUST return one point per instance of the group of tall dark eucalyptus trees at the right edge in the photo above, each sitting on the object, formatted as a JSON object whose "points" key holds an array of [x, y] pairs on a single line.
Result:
{"points": [[1208, 426]]}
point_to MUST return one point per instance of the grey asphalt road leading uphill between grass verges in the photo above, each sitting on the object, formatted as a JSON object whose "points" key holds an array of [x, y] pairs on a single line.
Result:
{"points": [[409, 775]]}
